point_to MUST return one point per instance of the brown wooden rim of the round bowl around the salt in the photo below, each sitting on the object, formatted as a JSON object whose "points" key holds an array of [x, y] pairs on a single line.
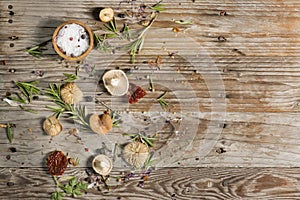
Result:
{"points": [[59, 52]]}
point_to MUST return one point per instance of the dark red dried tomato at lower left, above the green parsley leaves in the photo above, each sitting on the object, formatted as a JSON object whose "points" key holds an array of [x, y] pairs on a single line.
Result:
{"points": [[57, 163]]}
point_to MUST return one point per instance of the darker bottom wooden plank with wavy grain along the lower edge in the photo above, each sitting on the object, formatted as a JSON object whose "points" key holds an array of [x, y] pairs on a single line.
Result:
{"points": [[168, 183]]}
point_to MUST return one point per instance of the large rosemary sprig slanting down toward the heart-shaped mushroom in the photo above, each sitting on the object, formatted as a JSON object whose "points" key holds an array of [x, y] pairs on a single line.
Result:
{"points": [[75, 112]]}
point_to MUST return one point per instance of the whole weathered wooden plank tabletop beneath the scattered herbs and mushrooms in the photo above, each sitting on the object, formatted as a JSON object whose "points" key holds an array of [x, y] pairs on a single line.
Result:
{"points": [[232, 81]]}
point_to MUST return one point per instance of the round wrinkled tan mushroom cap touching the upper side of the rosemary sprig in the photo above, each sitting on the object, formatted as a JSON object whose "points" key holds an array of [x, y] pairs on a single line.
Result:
{"points": [[70, 93]]}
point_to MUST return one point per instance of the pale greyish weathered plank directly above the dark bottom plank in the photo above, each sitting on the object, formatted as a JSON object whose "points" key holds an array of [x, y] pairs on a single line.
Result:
{"points": [[249, 139]]}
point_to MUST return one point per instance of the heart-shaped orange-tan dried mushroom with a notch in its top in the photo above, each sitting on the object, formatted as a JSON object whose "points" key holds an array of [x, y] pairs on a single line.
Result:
{"points": [[101, 124]]}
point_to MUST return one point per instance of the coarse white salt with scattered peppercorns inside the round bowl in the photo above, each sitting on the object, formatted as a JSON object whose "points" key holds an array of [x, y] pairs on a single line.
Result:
{"points": [[73, 40]]}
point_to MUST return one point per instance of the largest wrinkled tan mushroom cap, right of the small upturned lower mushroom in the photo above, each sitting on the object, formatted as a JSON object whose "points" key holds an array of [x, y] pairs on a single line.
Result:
{"points": [[136, 154]]}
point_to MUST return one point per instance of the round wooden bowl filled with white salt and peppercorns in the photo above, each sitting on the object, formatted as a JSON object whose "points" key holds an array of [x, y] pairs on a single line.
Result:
{"points": [[73, 40]]}
